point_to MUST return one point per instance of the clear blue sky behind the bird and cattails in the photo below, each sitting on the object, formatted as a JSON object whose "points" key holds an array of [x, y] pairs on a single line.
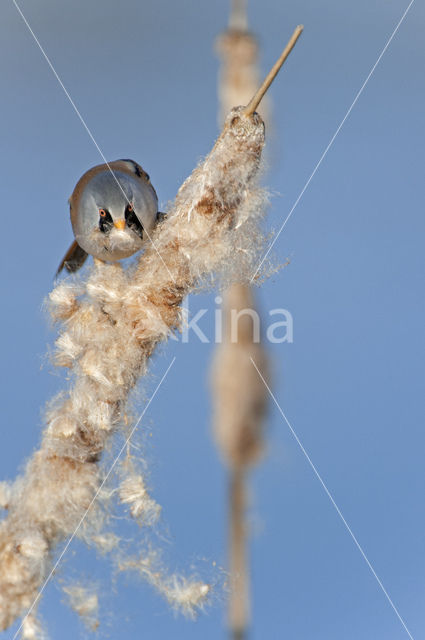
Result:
{"points": [[143, 75]]}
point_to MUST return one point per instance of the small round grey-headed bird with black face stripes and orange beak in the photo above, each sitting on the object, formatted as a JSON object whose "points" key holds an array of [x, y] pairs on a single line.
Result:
{"points": [[113, 207]]}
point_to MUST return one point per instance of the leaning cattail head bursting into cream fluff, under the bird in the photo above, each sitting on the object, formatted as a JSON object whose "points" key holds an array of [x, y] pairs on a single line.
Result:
{"points": [[109, 328]]}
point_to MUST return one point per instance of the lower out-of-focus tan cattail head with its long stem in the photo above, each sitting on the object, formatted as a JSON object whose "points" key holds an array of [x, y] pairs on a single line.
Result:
{"points": [[240, 402]]}
